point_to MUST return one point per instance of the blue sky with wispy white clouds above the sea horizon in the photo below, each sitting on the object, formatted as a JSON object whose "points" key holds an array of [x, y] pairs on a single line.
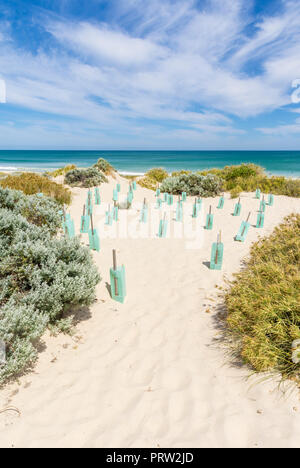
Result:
{"points": [[155, 74]]}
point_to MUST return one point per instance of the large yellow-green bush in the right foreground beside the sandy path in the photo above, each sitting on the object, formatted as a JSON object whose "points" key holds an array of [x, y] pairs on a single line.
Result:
{"points": [[263, 302]]}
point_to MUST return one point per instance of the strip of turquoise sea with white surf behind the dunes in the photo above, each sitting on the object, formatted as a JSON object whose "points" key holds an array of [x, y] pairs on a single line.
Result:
{"points": [[136, 162]]}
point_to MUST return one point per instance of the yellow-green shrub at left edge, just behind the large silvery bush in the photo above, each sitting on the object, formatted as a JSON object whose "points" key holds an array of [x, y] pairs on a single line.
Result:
{"points": [[31, 183]]}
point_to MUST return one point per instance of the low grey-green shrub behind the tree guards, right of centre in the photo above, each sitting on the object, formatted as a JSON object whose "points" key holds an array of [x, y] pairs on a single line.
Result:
{"points": [[193, 184]]}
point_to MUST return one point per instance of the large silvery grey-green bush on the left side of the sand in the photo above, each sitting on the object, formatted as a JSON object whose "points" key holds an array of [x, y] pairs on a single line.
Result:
{"points": [[41, 276]]}
